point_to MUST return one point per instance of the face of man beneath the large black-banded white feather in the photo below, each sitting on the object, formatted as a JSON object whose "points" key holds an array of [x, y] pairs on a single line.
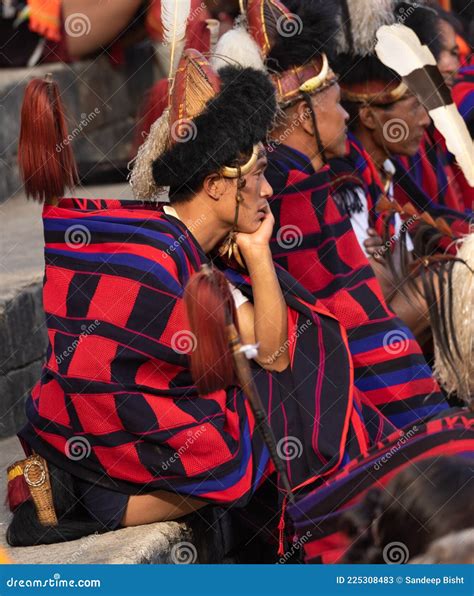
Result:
{"points": [[400, 127]]}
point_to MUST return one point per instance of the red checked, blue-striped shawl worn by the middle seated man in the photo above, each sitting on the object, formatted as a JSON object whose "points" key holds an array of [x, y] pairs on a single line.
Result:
{"points": [[317, 245]]}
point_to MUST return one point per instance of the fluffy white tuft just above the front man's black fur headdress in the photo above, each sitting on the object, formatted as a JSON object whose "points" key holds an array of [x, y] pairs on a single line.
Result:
{"points": [[237, 46]]}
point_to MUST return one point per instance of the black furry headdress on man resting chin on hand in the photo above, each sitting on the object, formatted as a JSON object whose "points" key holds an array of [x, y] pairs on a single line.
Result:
{"points": [[233, 122]]}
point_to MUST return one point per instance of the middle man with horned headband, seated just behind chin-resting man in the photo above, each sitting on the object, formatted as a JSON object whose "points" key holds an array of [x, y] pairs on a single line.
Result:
{"points": [[312, 239]]}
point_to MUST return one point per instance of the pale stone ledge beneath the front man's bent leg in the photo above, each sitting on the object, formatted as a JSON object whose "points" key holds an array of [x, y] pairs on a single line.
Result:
{"points": [[204, 538]]}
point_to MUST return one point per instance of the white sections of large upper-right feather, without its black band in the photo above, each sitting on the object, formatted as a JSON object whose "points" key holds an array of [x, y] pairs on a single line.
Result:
{"points": [[399, 48]]}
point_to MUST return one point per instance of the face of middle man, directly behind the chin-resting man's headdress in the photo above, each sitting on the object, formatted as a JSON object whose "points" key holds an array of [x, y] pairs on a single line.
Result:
{"points": [[332, 120]]}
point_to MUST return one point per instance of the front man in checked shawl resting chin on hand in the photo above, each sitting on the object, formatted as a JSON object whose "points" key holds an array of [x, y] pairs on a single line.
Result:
{"points": [[124, 428]]}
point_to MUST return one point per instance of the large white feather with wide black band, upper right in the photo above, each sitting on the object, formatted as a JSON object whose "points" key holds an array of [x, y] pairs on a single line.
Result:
{"points": [[399, 48]]}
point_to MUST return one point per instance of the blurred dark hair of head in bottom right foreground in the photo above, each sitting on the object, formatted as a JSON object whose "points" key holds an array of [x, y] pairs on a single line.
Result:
{"points": [[425, 501]]}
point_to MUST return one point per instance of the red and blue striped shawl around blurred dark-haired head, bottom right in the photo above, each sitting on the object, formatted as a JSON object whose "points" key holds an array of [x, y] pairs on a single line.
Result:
{"points": [[317, 514]]}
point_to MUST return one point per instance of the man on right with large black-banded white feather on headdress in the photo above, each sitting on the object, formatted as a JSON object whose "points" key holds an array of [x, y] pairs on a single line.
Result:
{"points": [[393, 89]]}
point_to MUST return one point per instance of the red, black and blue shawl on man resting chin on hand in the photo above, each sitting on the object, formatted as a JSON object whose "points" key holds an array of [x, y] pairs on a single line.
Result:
{"points": [[116, 402]]}
